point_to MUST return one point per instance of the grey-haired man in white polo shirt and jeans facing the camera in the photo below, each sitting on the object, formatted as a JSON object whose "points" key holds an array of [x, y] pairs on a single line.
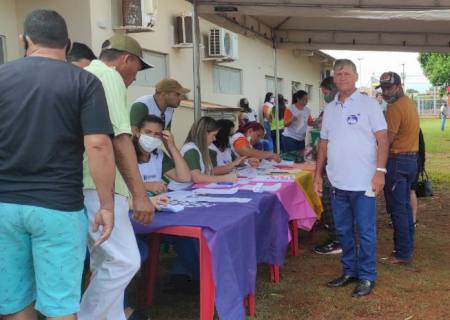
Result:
{"points": [[353, 142]]}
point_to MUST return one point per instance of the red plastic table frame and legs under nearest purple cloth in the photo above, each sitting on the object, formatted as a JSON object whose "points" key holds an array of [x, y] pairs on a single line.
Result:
{"points": [[207, 288]]}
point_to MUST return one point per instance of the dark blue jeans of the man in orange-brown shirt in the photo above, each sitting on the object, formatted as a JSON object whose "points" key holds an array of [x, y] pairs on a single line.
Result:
{"points": [[402, 170]]}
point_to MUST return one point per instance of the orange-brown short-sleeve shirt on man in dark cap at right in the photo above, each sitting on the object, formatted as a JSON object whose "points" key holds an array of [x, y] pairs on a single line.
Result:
{"points": [[404, 124]]}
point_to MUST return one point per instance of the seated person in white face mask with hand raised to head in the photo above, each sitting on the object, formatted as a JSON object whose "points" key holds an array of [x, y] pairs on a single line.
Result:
{"points": [[154, 163]]}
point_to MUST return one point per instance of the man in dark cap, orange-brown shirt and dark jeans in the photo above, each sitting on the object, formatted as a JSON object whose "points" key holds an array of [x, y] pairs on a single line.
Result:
{"points": [[403, 133]]}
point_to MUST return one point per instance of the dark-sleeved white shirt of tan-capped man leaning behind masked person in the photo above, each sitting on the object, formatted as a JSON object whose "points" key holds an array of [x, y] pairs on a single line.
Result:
{"points": [[146, 105]]}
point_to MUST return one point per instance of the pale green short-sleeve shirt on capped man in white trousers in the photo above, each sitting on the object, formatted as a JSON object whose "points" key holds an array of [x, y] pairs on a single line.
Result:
{"points": [[116, 97]]}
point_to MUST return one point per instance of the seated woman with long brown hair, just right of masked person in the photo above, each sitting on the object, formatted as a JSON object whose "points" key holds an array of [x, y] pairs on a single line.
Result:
{"points": [[196, 153]]}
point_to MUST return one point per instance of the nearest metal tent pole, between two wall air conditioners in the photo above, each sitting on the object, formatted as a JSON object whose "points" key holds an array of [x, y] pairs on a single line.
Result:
{"points": [[196, 61]]}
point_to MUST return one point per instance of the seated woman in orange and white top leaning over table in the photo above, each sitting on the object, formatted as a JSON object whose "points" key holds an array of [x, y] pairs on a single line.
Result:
{"points": [[242, 143]]}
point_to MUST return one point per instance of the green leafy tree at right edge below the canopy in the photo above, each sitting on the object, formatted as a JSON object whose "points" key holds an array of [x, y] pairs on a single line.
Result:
{"points": [[436, 67]]}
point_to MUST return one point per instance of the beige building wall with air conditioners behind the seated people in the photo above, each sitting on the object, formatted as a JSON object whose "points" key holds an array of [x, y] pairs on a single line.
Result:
{"points": [[255, 61]]}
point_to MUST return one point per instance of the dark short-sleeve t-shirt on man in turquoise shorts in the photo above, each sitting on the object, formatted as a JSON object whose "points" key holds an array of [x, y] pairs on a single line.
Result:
{"points": [[47, 106]]}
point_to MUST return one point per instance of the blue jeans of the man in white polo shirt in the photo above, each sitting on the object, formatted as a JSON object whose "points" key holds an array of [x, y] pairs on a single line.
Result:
{"points": [[355, 219]]}
